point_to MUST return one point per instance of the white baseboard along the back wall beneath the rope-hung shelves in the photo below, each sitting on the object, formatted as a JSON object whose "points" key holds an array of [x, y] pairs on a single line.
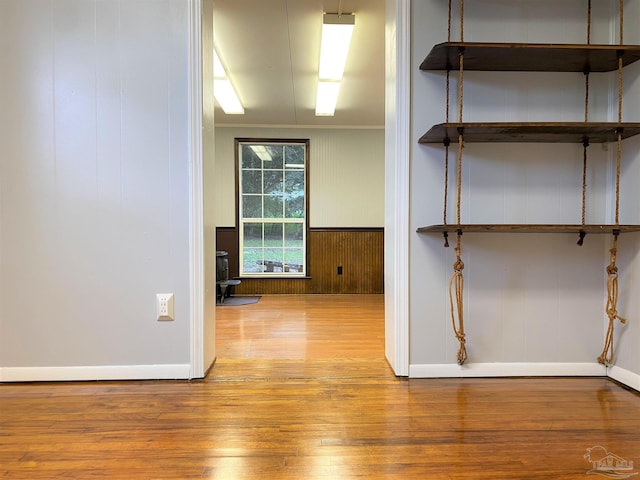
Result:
{"points": [[507, 370]]}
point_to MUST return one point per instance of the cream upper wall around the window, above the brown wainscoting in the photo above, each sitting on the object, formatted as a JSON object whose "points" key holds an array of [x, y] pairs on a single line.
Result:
{"points": [[346, 174]]}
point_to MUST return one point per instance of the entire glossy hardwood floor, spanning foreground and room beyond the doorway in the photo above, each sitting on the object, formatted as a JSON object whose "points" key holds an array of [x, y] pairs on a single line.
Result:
{"points": [[277, 408]]}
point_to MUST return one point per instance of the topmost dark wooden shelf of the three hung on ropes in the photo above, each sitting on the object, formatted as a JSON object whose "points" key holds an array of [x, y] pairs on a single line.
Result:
{"points": [[528, 57]]}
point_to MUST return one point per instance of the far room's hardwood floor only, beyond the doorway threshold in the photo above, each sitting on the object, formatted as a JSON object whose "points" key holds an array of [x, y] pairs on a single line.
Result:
{"points": [[303, 327]]}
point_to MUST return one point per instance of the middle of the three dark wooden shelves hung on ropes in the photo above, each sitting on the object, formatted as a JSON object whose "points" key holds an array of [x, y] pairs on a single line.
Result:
{"points": [[531, 132]]}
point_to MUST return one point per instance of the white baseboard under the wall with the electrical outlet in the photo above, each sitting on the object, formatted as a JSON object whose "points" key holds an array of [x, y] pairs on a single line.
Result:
{"points": [[107, 372]]}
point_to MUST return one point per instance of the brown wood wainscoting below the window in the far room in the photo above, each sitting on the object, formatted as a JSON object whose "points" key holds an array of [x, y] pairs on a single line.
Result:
{"points": [[359, 251]]}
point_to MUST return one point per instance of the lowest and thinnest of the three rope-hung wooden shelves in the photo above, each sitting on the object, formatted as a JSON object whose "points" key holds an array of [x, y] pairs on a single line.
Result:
{"points": [[528, 228]]}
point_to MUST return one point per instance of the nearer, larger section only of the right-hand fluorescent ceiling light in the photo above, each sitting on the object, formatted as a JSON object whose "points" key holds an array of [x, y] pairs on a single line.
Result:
{"points": [[334, 47]]}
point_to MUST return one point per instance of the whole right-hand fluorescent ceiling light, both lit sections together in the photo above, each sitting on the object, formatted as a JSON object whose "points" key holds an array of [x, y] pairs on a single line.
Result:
{"points": [[334, 48]]}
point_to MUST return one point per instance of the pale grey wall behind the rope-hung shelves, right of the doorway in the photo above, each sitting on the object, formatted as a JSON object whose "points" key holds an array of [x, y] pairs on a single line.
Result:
{"points": [[532, 299]]}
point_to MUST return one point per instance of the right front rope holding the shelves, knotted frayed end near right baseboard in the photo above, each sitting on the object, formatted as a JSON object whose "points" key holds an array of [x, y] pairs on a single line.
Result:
{"points": [[606, 357]]}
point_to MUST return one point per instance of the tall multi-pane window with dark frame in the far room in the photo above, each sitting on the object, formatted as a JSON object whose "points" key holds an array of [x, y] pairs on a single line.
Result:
{"points": [[272, 207]]}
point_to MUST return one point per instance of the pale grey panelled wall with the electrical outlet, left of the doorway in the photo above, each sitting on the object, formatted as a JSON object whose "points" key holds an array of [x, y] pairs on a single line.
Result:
{"points": [[94, 185]]}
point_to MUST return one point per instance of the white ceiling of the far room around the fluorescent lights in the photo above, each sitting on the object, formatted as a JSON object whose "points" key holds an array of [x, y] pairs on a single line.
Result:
{"points": [[270, 49]]}
